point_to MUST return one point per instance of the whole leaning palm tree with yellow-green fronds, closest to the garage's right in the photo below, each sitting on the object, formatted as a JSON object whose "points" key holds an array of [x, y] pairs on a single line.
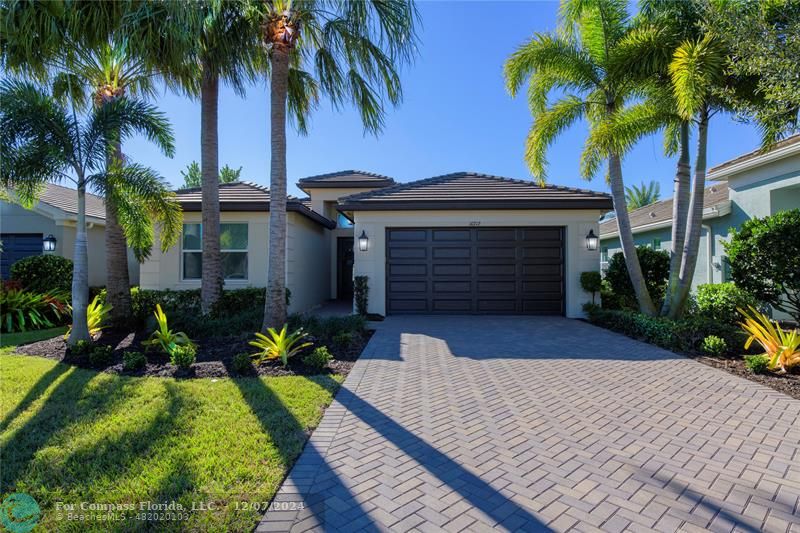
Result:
{"points": [[588, 61]]}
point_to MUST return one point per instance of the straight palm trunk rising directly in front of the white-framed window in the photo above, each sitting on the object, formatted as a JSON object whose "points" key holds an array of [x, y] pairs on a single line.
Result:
{"points": [[211, 284]]}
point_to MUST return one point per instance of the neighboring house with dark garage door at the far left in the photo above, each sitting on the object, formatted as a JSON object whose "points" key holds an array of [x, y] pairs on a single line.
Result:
{"points": [[23, 230]]}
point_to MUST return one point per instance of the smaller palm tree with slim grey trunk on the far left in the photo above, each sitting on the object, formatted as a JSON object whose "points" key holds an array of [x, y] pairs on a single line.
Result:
{"points": [[43, 141]]}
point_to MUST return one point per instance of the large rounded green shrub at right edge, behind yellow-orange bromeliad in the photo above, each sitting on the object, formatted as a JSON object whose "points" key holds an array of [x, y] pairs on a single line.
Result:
{"points": [[764, 255]]}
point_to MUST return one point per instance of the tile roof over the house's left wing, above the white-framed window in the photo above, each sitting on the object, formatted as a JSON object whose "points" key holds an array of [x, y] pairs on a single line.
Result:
{"points": [[246, 196]]}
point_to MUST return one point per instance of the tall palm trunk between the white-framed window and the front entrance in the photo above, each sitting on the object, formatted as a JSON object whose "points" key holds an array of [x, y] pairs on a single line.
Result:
{"points": [[275, 305]]}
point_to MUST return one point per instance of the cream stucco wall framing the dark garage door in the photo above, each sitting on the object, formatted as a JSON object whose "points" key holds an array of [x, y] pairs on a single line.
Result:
{"points": [[372, 263]]}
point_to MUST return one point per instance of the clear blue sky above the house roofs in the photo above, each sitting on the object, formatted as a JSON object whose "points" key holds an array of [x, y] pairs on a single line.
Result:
{"points": [[456, 115]]}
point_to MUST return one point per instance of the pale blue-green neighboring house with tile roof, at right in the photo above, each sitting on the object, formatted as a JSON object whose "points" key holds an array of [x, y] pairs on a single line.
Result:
{"points": [[753, 185]]}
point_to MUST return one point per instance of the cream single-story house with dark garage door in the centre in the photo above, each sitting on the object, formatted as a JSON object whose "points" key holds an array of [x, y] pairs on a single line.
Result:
{"points": [[459, 243]]}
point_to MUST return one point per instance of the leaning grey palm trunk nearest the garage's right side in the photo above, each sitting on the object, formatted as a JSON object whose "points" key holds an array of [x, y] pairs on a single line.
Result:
{"points": [[626, 236]]}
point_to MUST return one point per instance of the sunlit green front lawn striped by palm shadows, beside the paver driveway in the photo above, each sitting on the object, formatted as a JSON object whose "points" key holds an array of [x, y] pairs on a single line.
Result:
{"points": [[72, 435]]}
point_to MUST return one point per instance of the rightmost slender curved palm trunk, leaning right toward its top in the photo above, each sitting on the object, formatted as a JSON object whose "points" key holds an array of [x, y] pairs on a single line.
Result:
{"points": [[692, 245]]}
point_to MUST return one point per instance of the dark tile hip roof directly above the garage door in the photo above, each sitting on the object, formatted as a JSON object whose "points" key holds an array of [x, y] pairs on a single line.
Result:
{"points": [[469, 190]]}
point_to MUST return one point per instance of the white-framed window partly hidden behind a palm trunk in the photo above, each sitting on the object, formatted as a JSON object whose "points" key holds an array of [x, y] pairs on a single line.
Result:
{"points": [[233, 246]]}
